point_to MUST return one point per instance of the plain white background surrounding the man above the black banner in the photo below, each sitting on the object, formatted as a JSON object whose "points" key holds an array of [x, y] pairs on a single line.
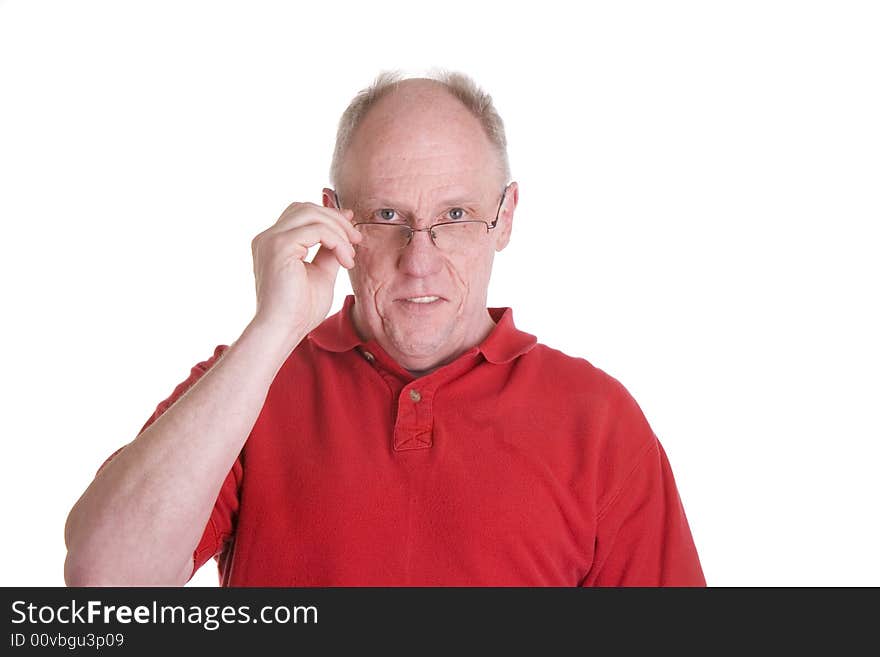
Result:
{"points": [[700, 191]]}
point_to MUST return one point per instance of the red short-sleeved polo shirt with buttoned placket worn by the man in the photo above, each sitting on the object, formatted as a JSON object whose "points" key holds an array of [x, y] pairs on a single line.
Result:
{"points": [[513, 465]]}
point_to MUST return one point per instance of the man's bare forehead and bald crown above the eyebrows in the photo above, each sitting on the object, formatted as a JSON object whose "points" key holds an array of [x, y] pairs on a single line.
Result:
{"points": [[420, 141]]}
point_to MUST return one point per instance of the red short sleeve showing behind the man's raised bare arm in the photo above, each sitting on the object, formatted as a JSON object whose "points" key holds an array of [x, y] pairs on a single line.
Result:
{"points": [[220, 527]]}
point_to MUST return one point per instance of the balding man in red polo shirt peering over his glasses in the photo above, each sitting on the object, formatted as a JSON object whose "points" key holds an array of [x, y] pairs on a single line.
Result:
{"points": [[414, 438]]}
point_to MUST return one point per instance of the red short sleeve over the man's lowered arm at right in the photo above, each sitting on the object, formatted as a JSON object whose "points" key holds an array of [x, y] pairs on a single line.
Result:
{"points": [[642, 534]]}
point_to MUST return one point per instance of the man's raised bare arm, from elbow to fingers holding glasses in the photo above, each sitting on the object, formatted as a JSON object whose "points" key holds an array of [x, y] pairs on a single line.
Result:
{"points": [[141, 518]]}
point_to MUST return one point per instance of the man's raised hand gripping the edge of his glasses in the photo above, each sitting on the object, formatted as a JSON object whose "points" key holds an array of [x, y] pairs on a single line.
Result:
{"points": [[293, 295]]}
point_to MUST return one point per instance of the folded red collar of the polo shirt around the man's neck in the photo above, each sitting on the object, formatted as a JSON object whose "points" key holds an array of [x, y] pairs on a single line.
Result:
{"points": [[503, 344]]}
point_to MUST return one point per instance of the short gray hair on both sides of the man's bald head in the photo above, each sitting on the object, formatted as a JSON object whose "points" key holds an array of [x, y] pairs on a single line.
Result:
{"points": [[462, 87]]}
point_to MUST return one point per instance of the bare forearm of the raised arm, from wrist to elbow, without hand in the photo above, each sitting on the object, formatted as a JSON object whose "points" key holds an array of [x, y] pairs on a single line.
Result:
{"points": [[143, 515]]}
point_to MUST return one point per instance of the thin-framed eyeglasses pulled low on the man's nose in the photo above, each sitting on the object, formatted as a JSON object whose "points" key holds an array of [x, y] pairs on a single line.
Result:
{"points": [[451, 235]]}
